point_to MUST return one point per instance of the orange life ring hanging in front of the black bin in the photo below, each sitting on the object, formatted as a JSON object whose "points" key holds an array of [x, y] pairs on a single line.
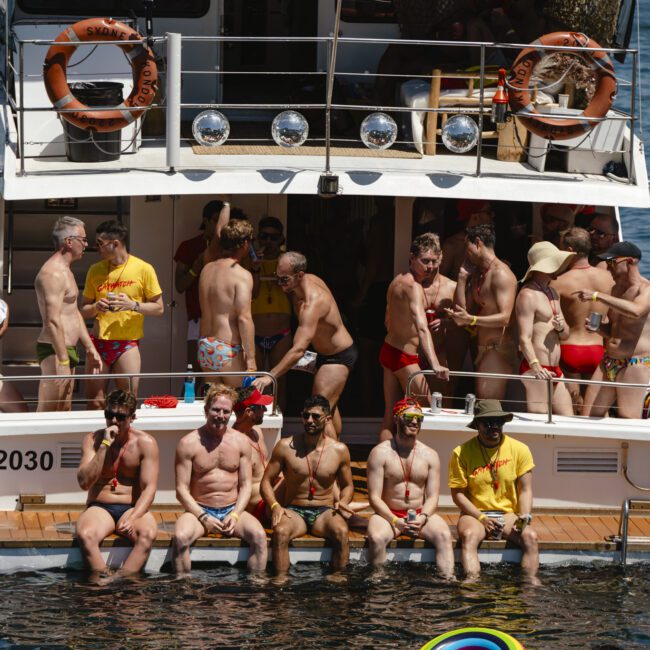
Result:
{"points": [[145, 74]]}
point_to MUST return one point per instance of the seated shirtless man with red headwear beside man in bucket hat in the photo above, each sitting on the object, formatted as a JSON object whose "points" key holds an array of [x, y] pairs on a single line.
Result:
{"points": [[403, 475]]}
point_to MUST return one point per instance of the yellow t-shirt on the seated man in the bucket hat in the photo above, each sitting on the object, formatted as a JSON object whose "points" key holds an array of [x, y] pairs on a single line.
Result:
{"points": [[468, 468]]}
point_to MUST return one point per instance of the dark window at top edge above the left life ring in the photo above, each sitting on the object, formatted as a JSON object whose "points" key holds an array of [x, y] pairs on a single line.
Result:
{"points": [[166, 8]]}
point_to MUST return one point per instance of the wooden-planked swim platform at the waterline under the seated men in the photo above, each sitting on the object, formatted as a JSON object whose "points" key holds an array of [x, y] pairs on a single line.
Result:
{"points": [[42, 539]]}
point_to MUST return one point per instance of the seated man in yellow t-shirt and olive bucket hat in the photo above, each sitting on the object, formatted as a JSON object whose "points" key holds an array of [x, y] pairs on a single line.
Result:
{"points": [[491, 481]]}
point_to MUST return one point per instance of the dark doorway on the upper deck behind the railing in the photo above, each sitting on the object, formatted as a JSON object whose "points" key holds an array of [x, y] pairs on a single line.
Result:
{"points": [[272, 70]]}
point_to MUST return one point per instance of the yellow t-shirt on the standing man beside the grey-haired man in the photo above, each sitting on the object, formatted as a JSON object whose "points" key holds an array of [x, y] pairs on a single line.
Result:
{"points": [[137, 279]]}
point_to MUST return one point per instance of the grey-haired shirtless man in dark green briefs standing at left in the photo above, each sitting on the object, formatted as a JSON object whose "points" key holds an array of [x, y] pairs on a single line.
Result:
{"points": [[63, 324]]}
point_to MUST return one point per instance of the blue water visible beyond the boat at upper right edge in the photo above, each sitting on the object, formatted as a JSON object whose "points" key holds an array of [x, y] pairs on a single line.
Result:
{"points": [[635, 220]]}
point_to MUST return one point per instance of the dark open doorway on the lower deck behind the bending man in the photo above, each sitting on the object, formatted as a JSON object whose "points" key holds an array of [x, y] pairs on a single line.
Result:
{"points": [[348, 242]]}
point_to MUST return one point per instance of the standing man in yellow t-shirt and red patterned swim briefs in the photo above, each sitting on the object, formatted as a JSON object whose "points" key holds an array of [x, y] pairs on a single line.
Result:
{"points": [[120, 291]]}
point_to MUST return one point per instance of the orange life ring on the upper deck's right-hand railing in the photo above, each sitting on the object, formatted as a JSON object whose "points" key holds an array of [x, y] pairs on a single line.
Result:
{"points": [[519, 87]]}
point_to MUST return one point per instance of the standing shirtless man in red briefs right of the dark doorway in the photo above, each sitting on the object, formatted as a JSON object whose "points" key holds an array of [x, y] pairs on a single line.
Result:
{"points": [[408, 331]]}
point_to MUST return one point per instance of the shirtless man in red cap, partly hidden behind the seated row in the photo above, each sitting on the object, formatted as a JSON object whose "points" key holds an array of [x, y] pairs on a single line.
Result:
{"points": [[249, 413]]}
